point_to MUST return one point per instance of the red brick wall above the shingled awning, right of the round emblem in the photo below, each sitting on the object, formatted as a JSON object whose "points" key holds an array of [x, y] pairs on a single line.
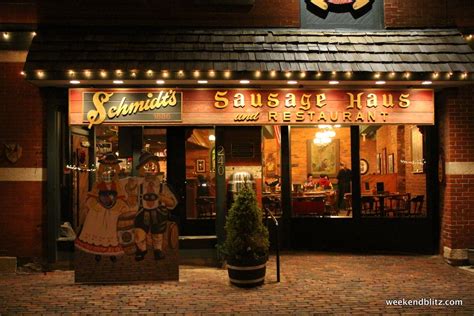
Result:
{"points": [[428, 13]]}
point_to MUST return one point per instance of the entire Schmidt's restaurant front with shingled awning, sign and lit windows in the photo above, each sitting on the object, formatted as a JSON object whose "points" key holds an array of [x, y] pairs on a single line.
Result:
{"points": [[352, 121]]}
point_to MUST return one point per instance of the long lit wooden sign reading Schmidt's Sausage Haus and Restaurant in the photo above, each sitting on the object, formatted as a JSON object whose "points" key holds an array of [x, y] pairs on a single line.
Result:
{"points": [[249, 106]]}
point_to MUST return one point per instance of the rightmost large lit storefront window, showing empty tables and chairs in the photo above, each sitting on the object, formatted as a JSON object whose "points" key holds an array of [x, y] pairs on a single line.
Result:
{"points": [[393, 182]]}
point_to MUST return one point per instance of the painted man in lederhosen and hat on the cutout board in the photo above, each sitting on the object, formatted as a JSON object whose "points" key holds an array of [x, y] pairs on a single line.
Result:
{"points": [[155, 202]]}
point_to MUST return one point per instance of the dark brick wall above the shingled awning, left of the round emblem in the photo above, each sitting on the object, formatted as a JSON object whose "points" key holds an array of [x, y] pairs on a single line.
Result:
{"points": [[180, 13]]}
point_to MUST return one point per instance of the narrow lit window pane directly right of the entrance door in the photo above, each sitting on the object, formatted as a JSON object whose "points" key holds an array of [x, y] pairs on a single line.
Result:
{"points": [[271, 197]]}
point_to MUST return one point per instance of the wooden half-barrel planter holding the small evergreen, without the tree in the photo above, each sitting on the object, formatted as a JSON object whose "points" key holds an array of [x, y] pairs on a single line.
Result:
{"points": [[246, 275]]}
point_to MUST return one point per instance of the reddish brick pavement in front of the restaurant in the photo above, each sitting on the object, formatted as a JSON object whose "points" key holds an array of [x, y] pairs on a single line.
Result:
{"points": [[311, 283]]}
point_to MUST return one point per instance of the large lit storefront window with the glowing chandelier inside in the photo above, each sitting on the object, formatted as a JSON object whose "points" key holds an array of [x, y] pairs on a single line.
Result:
{"points": [[321, 171]]}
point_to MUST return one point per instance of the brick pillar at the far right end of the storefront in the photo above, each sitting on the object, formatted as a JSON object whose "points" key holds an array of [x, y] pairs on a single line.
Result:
{"points": [[455, 116]]}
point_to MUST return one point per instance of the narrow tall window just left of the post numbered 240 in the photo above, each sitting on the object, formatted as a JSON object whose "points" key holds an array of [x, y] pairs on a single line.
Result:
{"points": [[200, 173]]}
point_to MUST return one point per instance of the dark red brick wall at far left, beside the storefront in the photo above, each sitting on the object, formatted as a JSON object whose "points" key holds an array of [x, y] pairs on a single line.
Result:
{"points": [[22, 121]]}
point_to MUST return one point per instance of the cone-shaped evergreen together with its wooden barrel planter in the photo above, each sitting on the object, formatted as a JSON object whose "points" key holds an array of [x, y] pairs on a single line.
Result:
{"points": [[246, 245]]}
